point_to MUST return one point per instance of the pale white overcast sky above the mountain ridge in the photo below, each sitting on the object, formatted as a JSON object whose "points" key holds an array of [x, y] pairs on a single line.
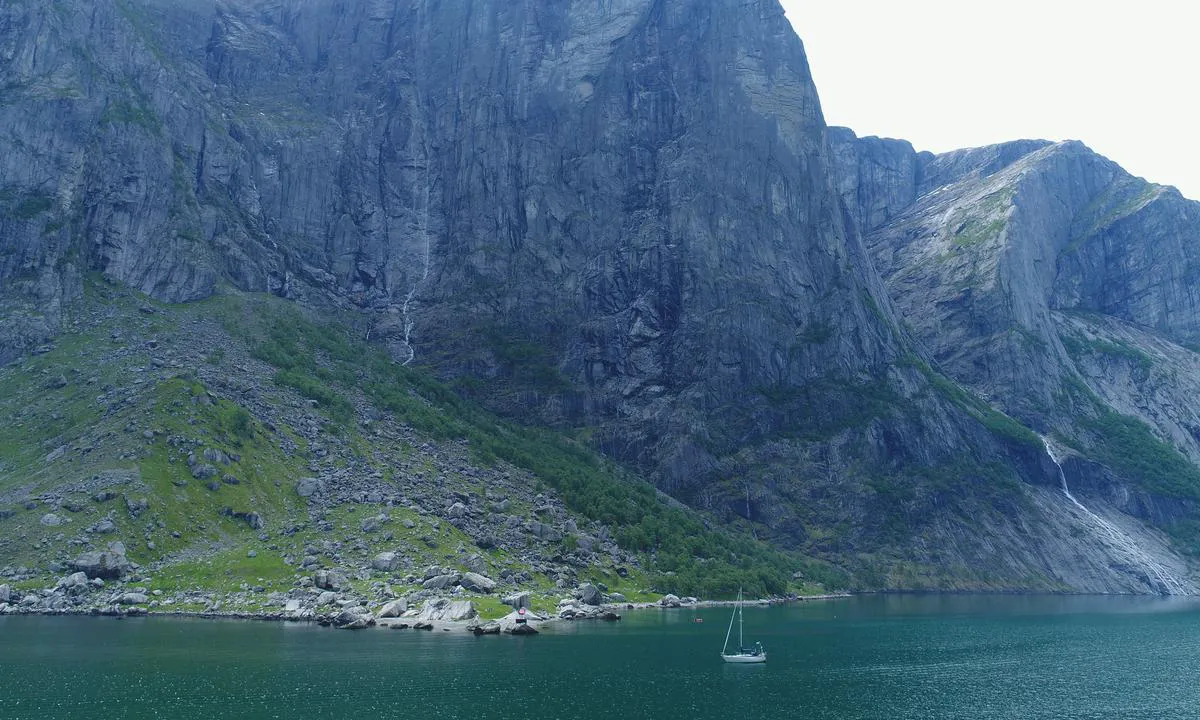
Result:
{"points": [[1123, 77]]}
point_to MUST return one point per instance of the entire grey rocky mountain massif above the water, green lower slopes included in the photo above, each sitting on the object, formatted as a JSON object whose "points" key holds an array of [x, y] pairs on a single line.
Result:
{"points": [[626, 225]]}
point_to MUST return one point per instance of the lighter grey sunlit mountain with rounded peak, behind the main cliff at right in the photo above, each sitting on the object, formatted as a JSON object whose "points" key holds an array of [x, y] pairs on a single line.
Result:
{"points": [[1061, 289]]}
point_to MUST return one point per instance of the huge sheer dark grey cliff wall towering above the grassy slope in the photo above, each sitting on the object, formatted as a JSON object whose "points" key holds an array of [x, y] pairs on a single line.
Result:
{"points": [[621, 212]]}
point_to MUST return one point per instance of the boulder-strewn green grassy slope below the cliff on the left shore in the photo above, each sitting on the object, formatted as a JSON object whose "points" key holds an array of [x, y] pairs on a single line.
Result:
{"points": [[122, 400]]}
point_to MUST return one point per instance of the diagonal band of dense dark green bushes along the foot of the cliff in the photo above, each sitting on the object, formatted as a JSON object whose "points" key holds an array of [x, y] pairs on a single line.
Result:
{"points": [[326, 364]]}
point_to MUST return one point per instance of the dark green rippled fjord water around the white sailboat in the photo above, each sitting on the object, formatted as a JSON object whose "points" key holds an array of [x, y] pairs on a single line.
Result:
{"points": [[862, 658]]}
